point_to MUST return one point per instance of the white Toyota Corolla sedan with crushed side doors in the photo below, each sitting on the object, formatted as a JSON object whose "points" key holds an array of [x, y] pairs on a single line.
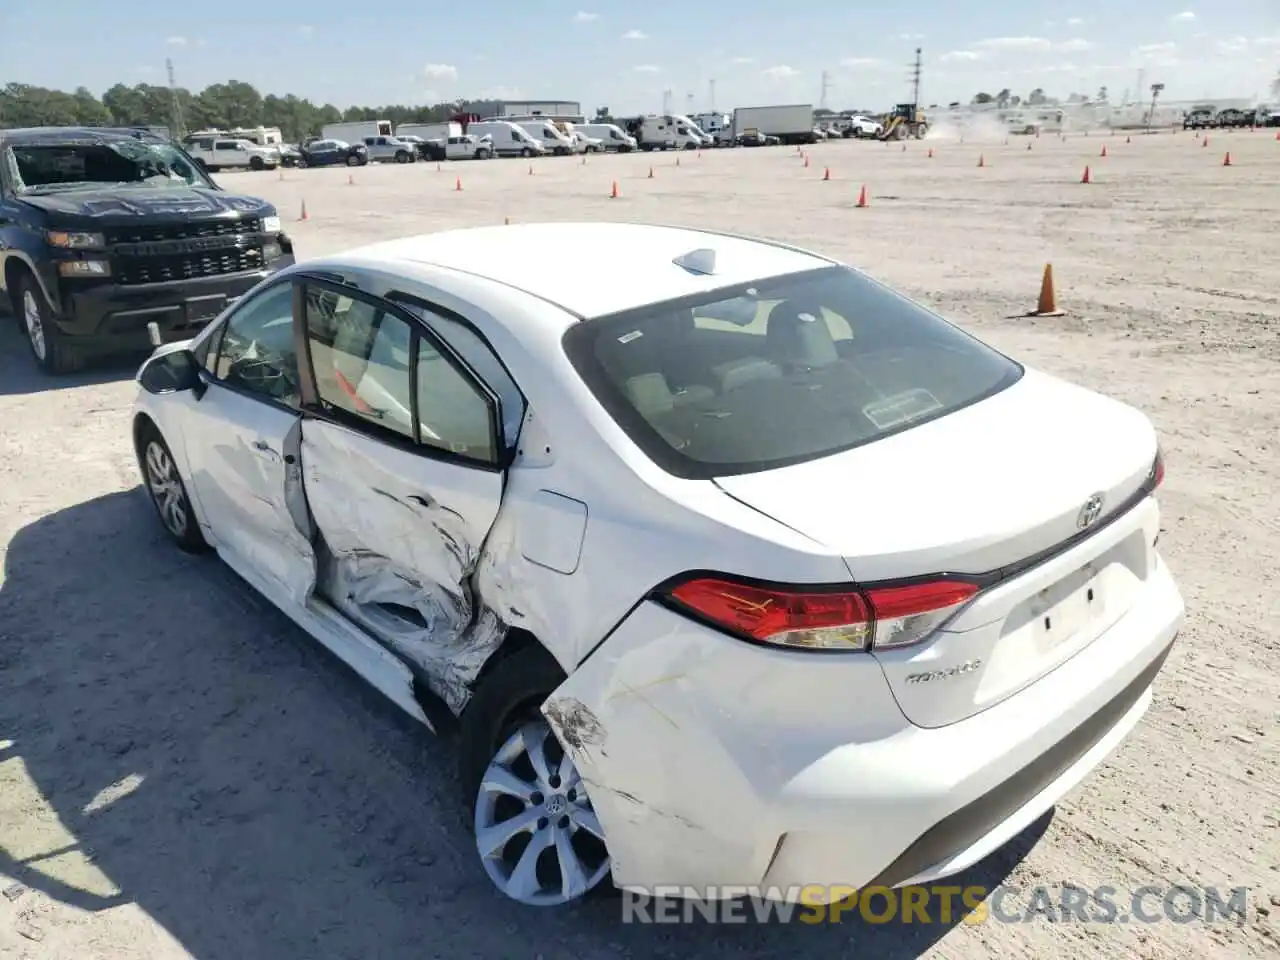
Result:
{"points": [[735, 566]]}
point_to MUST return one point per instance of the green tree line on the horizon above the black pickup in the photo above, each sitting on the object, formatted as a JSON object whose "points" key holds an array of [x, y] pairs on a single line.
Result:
{"points": [[218, 107]]}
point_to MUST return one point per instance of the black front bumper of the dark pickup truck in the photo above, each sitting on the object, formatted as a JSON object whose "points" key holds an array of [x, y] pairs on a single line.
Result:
{"points": [[116, 318]]}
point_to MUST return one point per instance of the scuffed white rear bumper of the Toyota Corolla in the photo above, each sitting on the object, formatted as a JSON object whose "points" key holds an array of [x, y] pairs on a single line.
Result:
{"points": [[717, 764]]}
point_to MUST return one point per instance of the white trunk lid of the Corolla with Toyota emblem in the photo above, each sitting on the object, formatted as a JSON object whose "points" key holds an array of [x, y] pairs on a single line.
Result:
{"points": [[980, 492]]}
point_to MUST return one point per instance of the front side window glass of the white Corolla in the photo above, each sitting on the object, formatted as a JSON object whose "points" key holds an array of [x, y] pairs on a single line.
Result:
{"points": [[257, 353]]}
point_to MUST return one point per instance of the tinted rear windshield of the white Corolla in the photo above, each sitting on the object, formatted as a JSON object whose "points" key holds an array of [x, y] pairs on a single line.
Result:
{"points": [[783, 372]]}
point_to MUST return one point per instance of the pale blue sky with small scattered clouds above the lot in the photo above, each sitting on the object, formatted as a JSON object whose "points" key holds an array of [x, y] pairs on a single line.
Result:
{"points": [[627, 54]]}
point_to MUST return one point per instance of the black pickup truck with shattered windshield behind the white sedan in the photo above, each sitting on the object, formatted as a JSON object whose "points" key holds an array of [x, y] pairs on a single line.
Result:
{"points": [[107, 231]]}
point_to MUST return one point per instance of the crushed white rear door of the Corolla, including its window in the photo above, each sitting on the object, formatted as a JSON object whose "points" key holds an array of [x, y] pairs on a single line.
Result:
{"points": [[403, 461]]}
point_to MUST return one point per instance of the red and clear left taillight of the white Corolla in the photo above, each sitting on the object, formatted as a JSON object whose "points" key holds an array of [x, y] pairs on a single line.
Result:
{"points": [[863, 619]]}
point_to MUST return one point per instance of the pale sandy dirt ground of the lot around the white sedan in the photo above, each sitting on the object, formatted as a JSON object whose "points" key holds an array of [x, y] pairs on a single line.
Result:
{"points": [[184, 774]]}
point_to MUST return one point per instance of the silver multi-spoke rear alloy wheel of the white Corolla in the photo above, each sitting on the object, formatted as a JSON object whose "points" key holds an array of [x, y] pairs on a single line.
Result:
{"points": [[536, 830]]}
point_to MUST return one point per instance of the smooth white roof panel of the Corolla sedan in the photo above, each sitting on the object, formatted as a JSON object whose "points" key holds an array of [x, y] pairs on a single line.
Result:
{"points": [[593, 269]]}
